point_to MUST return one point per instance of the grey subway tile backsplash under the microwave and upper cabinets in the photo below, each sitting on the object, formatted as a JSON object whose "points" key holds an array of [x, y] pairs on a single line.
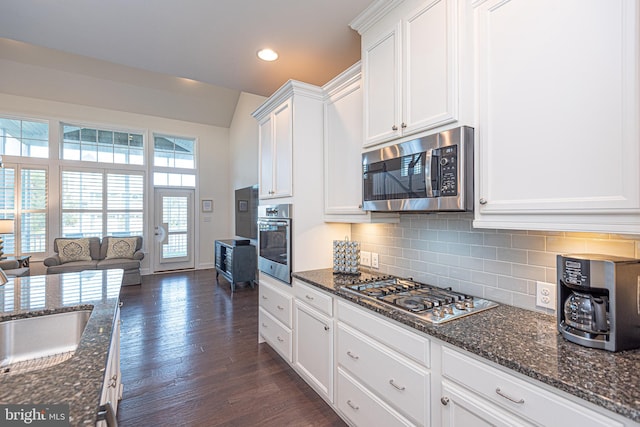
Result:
{"points": [[501, 265]]}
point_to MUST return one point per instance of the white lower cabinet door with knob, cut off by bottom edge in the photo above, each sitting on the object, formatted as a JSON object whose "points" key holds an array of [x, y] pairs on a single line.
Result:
{"points": [[462, 408]]}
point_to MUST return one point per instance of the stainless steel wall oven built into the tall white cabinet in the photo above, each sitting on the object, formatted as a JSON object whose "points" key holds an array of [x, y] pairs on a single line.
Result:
{"points": [[274, 241]]}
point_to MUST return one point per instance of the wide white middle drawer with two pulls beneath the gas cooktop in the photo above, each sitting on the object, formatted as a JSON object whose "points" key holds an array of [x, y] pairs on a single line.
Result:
{"points": [[397, 380]]}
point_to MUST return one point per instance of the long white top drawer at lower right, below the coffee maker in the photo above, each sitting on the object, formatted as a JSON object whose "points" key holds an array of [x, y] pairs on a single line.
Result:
{"points": [[526, 400]]}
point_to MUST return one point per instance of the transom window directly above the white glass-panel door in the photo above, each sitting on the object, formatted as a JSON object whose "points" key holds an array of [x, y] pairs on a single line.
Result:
{"points": [[171, 156]]}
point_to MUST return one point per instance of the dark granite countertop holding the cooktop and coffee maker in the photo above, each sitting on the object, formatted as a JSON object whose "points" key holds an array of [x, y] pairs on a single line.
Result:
{"points": [[524, 341]]}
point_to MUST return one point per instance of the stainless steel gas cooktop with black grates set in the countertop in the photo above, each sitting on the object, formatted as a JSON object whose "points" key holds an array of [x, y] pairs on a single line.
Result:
{"points": [[433, 304]]}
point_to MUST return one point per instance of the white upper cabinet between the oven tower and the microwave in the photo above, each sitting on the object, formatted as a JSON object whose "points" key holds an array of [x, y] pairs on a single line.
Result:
{"points": [[343, 151]]}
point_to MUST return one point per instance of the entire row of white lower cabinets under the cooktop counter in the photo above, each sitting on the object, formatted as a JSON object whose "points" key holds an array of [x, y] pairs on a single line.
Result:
{"points": [[376, 372]]}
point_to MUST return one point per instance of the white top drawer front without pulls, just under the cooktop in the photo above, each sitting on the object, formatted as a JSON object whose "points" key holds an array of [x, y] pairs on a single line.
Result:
{"points": [[405, 342]]}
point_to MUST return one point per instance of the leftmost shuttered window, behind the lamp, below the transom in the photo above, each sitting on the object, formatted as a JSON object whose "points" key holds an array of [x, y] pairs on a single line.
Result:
{"points": [[30, 213]]}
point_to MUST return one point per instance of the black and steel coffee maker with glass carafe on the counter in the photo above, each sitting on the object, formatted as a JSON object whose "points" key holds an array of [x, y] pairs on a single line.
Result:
{"points": [[599, 301]]}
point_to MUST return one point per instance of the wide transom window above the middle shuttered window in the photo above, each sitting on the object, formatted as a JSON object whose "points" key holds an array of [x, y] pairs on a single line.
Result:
{"points": [[101, 145]]}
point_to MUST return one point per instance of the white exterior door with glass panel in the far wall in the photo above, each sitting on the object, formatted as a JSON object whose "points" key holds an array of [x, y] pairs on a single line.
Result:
{"points": [[173, 229]]}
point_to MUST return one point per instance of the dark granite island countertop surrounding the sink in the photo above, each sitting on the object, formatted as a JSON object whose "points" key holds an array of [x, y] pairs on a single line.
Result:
{"points": [[77, 381]]}
